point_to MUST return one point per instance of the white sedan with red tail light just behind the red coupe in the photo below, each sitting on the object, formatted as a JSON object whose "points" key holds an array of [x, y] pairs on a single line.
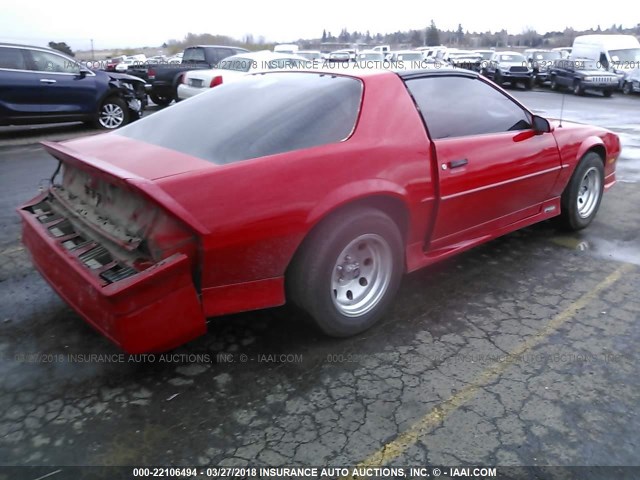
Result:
{"points": [[234, 68]]}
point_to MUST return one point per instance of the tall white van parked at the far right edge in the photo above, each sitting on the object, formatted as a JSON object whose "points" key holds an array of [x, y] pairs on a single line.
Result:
{"points": [[618, 53]]}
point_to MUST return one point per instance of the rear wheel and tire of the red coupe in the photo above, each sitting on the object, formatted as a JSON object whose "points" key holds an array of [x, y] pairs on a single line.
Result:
{"points": [[348, 270]]}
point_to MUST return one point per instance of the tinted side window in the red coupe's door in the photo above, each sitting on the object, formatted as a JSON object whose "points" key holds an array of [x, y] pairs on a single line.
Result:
{"points": [[460, 106]]}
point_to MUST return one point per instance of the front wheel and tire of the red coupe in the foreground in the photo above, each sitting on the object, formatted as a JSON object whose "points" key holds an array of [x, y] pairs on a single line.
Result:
{"points": [[582, 196]]}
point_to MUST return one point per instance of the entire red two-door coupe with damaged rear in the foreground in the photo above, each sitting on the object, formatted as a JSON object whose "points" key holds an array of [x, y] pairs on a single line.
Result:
{"points": [[318, 188]]}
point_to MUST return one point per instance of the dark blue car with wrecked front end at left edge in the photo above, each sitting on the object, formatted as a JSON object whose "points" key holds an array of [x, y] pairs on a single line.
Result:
{"points": [[40, 85]]}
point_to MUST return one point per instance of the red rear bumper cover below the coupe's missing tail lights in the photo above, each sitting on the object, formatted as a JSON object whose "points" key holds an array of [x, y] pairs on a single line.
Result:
{"points": [[156, 310]]}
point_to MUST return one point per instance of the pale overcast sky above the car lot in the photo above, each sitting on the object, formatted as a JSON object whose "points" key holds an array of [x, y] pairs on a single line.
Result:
{"points": [[141, 23]]}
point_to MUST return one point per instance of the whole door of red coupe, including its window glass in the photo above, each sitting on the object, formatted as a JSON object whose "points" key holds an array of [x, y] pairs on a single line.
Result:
{"points": [[493, 168]]}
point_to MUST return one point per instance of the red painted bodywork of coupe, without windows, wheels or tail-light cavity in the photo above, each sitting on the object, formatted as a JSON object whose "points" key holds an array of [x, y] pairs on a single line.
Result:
{"points": [[250, 217]]}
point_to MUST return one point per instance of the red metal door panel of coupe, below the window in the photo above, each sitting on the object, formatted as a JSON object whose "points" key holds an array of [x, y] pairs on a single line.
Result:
{"points": [[507, 175]]}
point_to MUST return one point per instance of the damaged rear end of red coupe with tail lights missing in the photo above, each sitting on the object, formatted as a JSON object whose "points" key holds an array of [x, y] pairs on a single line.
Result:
{"points": [[110, 243]]}
